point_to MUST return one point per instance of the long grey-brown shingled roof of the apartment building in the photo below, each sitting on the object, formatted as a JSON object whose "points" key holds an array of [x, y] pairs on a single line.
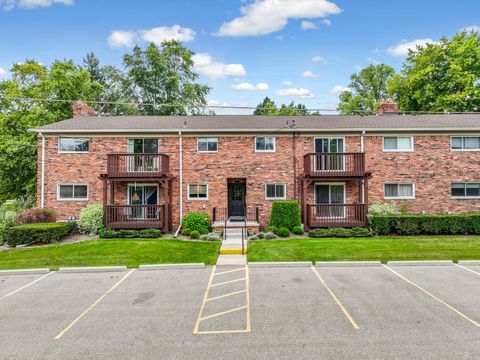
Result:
{"points": [[250, 123]]}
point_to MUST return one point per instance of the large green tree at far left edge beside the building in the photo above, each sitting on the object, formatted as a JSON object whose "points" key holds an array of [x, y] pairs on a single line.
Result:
{"points": [[19, 111]]}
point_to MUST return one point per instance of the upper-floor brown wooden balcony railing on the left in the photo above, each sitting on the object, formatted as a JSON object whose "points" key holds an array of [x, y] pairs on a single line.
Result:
{"points": [[137, 165]]}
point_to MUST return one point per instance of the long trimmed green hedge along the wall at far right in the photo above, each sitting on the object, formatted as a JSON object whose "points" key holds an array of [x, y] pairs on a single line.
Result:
{"points": [[411, 224]]}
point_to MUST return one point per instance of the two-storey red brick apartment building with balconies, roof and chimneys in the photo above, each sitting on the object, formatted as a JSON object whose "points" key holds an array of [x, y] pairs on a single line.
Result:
{"points": [[149, 171]]}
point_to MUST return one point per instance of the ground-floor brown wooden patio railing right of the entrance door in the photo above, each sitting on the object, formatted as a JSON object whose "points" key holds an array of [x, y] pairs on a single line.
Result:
{"points": [[337, 215]]}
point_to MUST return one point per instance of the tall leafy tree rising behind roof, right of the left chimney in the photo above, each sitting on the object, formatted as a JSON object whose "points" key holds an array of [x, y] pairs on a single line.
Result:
{"points": [[164, 75]]}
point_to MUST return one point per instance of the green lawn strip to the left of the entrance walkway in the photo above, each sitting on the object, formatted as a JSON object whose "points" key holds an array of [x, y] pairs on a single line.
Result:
{"points": [[129, 252]]}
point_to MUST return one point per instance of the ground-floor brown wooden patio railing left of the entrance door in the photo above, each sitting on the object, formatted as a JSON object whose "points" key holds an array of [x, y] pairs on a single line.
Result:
{"points": [[135, 216]]}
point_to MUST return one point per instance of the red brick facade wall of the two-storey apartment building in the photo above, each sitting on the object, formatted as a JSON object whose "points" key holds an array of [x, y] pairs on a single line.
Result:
{"points": [[432, 167]]}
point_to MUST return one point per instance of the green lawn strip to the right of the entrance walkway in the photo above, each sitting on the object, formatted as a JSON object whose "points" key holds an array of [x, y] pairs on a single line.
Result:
{"points": [[363, 249]]}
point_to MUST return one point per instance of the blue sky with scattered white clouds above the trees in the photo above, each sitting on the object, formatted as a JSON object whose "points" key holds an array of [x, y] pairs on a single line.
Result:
{"points": [[289, 50]]}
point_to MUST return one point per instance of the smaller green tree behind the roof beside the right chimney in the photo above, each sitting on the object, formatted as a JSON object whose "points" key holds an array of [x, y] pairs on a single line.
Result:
{"points": [[367, 89]]}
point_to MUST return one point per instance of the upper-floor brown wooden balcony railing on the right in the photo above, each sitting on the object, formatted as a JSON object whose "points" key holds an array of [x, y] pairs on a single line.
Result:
{"points": [[334, 164]]}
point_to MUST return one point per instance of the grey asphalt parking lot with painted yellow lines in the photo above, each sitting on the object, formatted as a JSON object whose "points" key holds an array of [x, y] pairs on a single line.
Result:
{"points": [[380, 312]]}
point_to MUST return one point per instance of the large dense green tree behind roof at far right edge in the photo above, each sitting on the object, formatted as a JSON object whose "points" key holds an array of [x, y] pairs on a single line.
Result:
{"points": [[443, 76]]}
